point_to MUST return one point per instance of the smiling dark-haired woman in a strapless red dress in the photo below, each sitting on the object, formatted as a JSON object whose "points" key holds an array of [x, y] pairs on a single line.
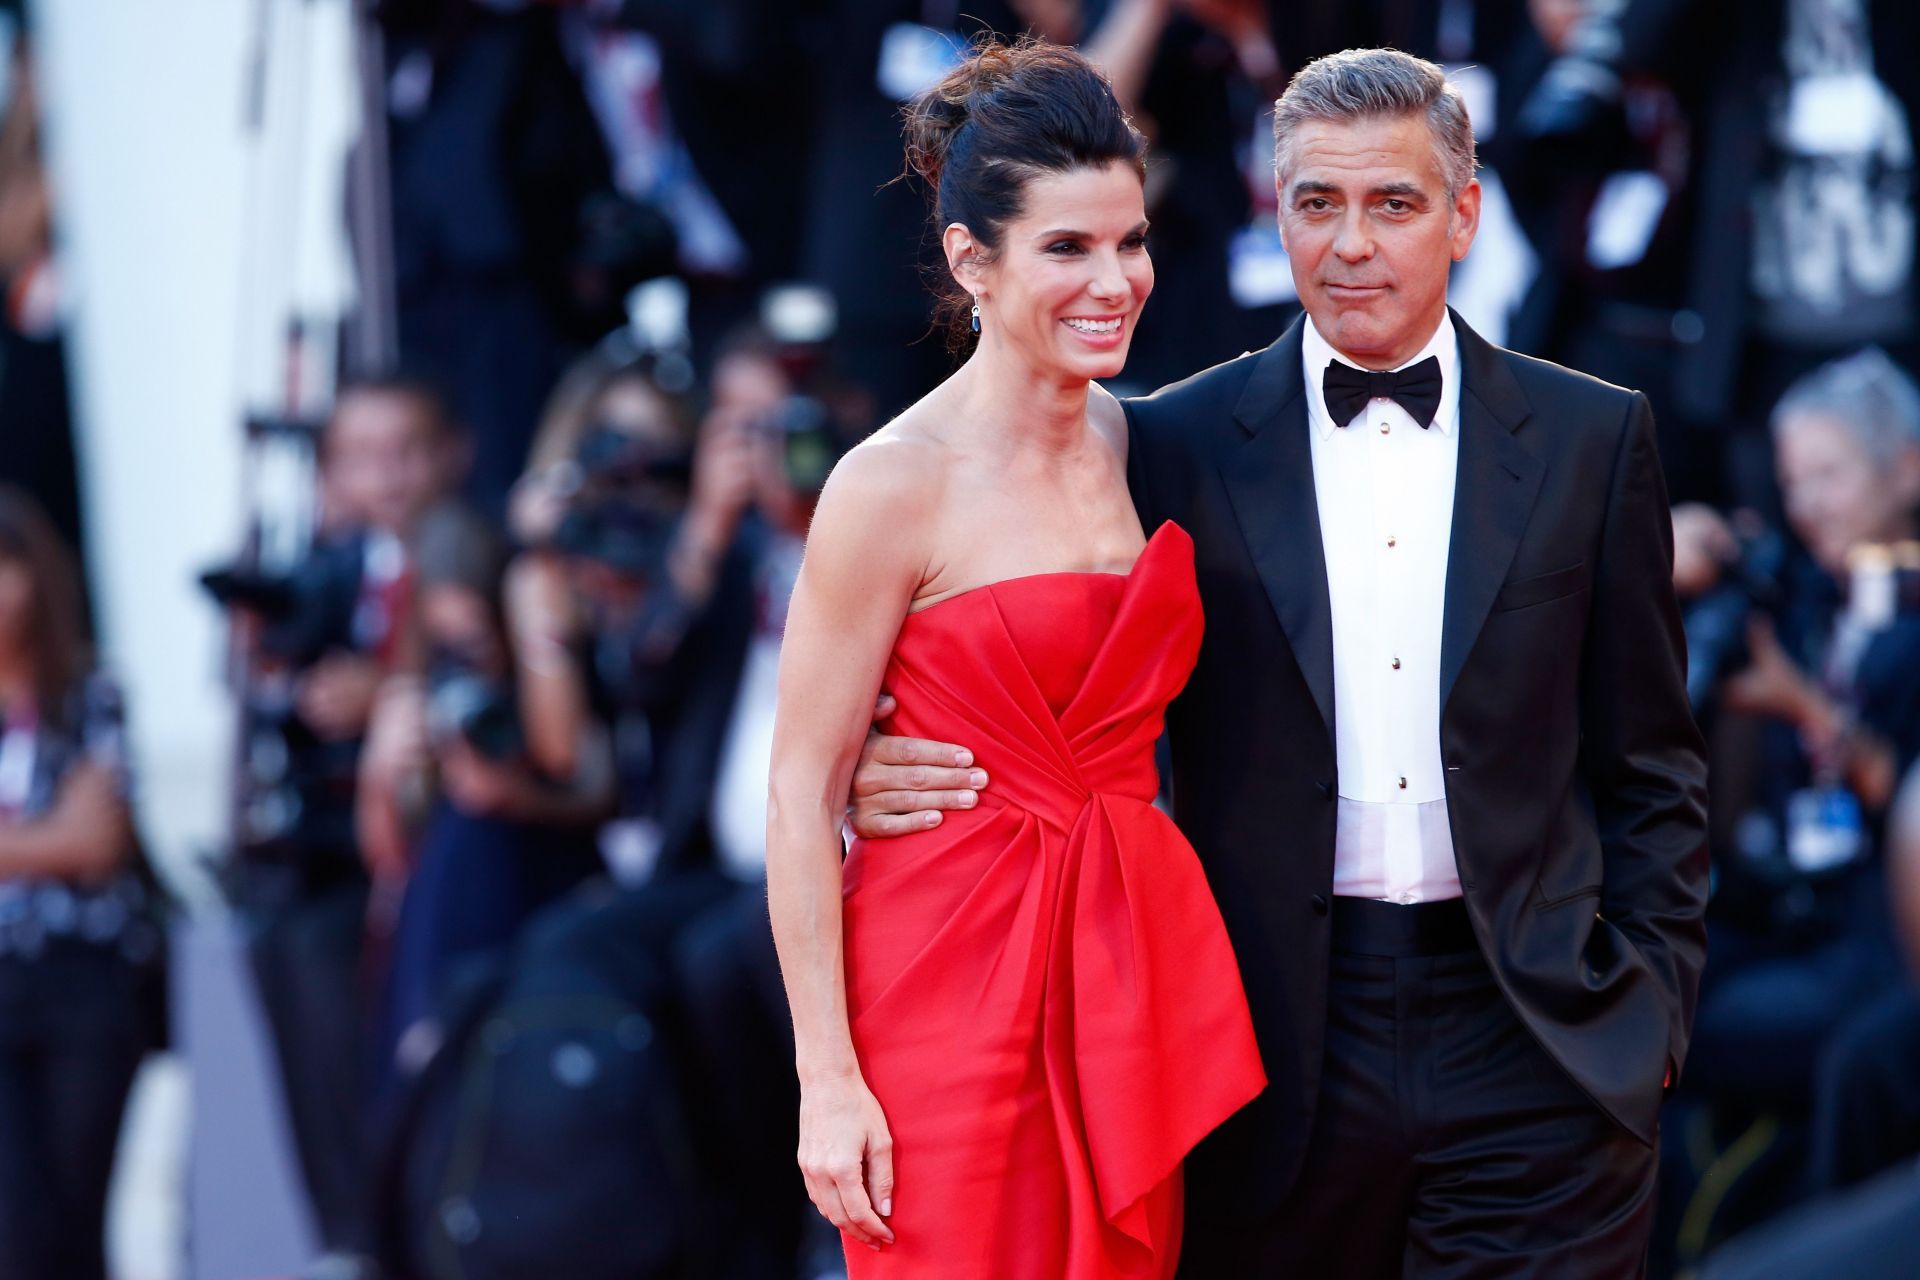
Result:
{"points": [[1015, 1024]]}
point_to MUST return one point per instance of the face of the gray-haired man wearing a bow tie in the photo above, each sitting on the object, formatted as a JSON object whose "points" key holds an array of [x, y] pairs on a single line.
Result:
{"points": [[1372, 233]]}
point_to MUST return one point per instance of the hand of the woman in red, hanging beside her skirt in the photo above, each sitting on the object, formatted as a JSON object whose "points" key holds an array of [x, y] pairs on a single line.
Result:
{"points": [[848, 1158]]}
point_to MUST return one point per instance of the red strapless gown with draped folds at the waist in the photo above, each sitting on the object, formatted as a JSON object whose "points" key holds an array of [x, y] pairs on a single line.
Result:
{"points": [[1042, 993]]}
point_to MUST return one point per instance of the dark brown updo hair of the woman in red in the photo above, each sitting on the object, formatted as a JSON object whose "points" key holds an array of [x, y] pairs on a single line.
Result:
{"points": [[999, 120]]}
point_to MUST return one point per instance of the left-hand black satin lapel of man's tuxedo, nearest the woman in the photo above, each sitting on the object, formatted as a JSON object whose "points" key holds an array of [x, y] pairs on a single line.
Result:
{"points": [[1270, 483]]}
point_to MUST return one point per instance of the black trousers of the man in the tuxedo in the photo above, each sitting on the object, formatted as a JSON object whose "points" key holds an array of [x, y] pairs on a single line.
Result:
{"points": [[1447, 1145]]}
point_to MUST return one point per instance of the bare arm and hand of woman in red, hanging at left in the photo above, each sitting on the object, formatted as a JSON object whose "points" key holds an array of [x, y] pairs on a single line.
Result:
{"points": [[865, 559]]}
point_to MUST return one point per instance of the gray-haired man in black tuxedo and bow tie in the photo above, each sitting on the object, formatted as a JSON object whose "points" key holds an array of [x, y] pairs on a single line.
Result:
{"points": [[1437, 755]]}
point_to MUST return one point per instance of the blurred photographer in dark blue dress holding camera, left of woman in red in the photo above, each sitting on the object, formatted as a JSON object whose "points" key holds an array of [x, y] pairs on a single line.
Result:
{"points": [[452, 811]]}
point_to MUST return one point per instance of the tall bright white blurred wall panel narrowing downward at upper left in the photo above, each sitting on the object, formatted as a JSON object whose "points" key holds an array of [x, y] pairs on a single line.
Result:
{"points": [[143, 108]]}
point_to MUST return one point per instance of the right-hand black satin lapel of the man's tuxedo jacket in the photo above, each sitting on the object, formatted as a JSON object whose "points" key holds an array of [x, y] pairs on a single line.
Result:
{"points": [[1495, 490]]}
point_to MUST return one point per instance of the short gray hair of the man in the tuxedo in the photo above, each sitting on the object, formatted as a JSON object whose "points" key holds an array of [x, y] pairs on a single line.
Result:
{"points": [[1380, 83]]}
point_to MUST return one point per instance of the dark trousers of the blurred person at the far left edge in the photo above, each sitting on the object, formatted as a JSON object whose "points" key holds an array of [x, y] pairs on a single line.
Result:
{"points": [[68, 1058]]}
